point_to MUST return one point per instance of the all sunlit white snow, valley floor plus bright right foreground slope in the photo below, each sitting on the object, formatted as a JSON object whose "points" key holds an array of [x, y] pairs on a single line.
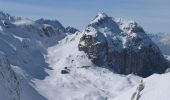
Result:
{"points": [[93, 83]]}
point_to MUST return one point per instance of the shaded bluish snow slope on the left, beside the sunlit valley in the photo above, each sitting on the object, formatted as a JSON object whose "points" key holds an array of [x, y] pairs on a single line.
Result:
{"points": [[24, 42]]}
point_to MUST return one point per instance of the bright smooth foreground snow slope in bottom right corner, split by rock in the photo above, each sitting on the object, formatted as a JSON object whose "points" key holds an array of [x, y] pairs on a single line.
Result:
{"points": [[157, 87]]}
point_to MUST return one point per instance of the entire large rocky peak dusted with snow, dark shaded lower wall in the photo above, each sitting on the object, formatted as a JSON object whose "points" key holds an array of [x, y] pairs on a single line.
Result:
{"points": [[121, 45]]}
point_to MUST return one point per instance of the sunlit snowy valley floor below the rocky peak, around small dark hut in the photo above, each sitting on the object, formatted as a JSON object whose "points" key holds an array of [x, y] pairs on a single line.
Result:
{"points": [[85, 80]]}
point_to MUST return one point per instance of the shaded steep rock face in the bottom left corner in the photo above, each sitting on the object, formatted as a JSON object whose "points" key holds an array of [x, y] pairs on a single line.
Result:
{"points": [[9, 84]]}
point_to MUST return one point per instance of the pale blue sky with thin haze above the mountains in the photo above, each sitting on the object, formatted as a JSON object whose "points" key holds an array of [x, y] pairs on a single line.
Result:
{"points": [[153, 15]]}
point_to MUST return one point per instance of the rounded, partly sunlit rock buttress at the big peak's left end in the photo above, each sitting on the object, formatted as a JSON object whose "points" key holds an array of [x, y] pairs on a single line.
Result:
{"points": [[95, 46]]}
